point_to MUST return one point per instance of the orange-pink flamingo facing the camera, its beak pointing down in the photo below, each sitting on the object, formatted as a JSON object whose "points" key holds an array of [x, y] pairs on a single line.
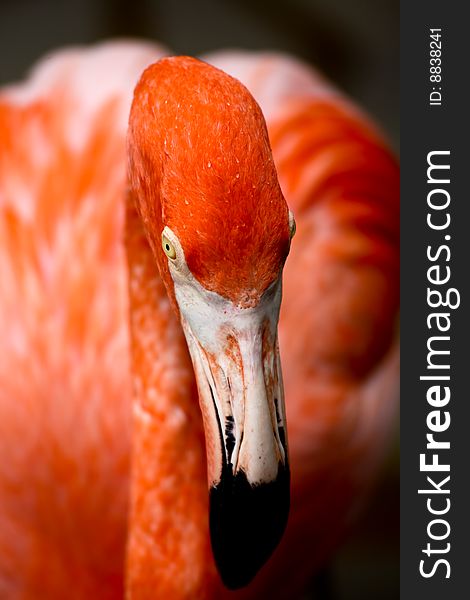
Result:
{"points": [[139, 360]]}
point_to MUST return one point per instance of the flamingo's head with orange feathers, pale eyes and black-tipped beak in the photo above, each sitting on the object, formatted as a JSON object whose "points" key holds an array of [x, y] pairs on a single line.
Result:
{"points": [[202, 173]]}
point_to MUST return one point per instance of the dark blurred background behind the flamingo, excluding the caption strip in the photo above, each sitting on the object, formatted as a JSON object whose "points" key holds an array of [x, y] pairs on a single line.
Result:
{"points": [[355, 43]]}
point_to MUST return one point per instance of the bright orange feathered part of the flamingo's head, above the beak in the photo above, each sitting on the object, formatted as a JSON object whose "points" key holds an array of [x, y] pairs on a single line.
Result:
{"points": [[201, 163]]}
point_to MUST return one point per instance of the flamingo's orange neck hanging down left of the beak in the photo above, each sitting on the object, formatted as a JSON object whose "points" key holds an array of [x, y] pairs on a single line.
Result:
{"points": [[168, 549]]}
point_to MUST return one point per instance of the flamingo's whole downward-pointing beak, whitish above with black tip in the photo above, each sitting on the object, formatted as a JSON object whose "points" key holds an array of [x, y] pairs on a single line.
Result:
{"points": [[236, 361]]}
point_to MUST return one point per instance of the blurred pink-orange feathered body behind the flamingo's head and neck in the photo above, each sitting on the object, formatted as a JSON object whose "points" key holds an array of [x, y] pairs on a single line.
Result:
{"points": [[65, 377]]}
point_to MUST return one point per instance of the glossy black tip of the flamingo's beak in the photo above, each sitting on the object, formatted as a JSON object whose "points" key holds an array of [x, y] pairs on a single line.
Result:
{"points": [[246, 524]]}
